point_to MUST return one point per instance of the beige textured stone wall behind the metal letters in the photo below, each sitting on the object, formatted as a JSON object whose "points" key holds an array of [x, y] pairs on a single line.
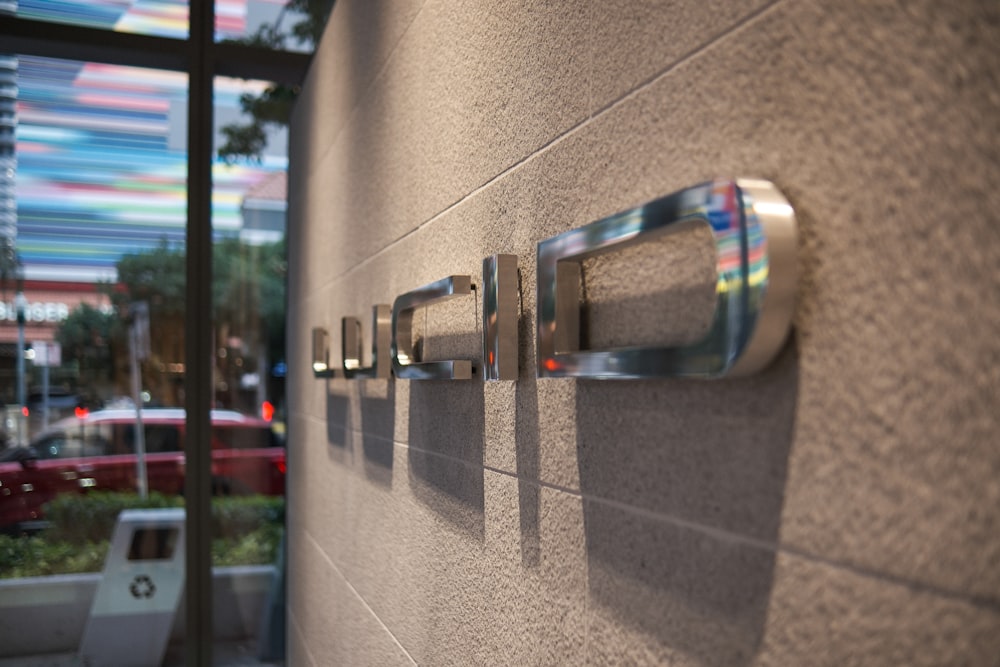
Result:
{"points": [[840, 508]]}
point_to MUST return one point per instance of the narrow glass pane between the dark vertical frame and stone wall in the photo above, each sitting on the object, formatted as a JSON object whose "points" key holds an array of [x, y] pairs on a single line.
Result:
{"points": [[248, 292]]}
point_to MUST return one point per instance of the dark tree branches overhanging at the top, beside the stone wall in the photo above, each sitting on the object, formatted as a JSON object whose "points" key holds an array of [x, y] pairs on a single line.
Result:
{"points": [[247, 141]]}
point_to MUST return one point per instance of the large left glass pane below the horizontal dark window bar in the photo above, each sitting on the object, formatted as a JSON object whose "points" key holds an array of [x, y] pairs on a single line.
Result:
{"points": [[99, 168]]}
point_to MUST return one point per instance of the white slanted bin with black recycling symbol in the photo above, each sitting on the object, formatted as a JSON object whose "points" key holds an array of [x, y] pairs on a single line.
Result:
{"points": [[134, 608]]}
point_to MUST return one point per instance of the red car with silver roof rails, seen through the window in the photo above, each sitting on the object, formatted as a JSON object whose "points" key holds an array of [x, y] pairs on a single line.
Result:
{"points": [[97, 452]]}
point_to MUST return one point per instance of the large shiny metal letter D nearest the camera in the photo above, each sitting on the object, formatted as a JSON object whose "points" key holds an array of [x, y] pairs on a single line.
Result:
{"points": [[755, 236]]}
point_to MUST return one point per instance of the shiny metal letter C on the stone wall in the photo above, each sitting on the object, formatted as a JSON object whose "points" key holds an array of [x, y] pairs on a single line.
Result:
{"points": [[404, 363]]}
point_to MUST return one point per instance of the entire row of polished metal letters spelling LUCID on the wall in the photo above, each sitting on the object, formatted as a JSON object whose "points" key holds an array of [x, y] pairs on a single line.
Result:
{"points": [[754, 232]]}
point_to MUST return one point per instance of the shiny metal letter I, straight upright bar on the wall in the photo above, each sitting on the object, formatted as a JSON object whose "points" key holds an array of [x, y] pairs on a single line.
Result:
{"points": [[500, 317]]}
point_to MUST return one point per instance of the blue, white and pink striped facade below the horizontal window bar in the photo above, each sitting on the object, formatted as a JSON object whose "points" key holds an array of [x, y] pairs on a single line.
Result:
{"points": [[102, 165]]}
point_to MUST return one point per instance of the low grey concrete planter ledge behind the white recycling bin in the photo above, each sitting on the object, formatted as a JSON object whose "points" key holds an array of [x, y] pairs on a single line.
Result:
{"points": [[41, 615]]}
